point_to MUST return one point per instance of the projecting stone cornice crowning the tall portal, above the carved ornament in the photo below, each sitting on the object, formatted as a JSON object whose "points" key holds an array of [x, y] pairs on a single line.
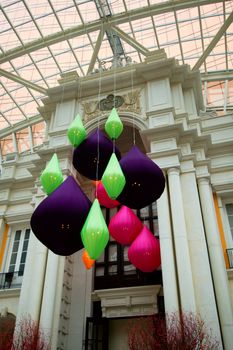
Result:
{"points": [[141, 73]]}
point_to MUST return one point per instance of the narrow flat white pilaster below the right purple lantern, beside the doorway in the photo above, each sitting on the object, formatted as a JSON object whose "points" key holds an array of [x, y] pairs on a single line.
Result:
{"points": [[167, 255]]}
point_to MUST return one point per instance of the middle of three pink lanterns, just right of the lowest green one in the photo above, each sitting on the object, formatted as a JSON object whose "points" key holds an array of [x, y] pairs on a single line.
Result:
{"points": [[124, 226]]}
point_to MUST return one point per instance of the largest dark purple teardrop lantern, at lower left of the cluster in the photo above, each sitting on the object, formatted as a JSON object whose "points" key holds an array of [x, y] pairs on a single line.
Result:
{"points": [[59, 218]]}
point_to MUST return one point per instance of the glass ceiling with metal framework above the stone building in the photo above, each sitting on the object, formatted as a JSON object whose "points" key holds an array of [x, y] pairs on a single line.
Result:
{"points": [[40, 40]]}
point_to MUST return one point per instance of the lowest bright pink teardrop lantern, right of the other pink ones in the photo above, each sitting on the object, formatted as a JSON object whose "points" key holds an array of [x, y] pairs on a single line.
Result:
{"points": [[144, 252]]}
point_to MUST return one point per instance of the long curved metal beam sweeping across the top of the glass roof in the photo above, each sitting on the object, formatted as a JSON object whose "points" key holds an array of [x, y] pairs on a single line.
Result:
{"points": [[117, 19]]}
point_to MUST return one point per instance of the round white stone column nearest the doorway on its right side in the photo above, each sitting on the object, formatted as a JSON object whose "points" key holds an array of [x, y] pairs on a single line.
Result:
{"points": [[186, 287]]}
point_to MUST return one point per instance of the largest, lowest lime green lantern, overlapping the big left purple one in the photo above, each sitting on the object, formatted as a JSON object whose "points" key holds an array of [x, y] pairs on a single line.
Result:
{"points": [[94, 234]]}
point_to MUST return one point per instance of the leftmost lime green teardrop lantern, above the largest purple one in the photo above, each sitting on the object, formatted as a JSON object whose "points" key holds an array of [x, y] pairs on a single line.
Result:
{"points": [[51, 176]]}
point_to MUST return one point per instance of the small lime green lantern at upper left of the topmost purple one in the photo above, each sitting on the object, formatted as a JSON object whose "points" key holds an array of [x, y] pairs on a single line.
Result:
{"points": [[76, 132]]}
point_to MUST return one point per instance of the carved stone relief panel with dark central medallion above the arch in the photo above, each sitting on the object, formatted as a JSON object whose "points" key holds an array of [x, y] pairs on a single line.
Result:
{"points": [[129, 102]]}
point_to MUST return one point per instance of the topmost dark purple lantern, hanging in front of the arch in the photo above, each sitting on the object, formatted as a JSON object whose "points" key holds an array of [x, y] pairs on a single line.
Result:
{"points": [[96, 148]]}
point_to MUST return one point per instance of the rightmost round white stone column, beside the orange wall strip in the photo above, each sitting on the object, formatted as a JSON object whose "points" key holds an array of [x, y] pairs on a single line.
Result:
{"points": [[217, 262]]}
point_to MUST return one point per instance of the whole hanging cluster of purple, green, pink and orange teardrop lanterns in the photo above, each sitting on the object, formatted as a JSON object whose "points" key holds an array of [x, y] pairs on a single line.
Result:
{"points": [[66, 220]]}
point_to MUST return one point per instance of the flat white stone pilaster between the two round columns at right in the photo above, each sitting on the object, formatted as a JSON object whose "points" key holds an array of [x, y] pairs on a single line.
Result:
{"points": [[203, 284]]}
